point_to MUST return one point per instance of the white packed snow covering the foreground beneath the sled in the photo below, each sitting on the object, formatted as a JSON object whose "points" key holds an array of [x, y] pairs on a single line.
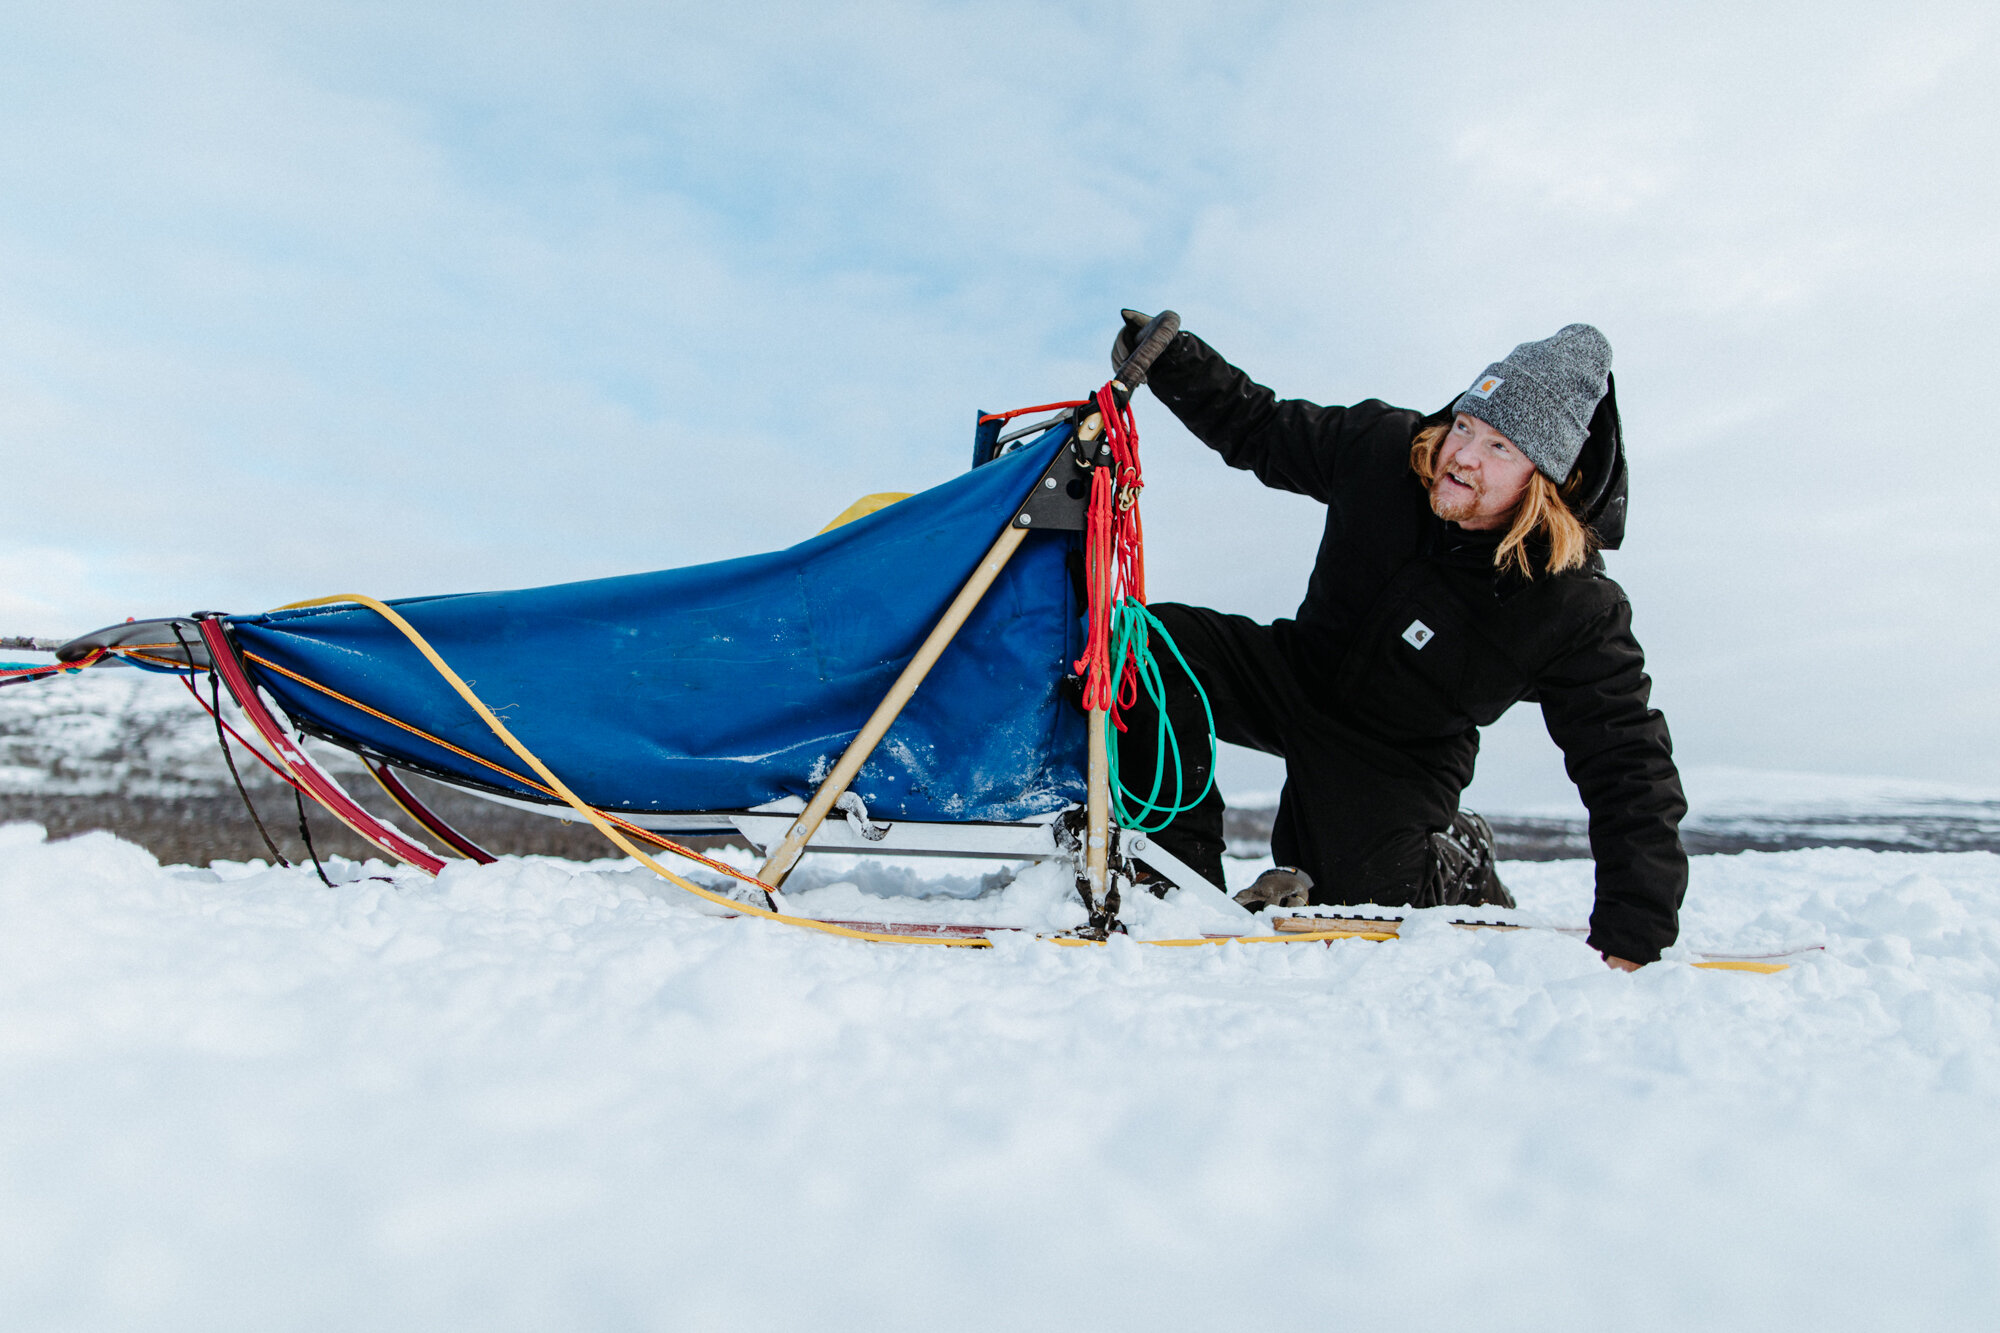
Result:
{"points": [[567, 1096]]}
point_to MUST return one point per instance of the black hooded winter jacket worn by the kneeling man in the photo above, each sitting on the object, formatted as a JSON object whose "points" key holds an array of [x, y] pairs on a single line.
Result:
{"points": [[1387, 561]]}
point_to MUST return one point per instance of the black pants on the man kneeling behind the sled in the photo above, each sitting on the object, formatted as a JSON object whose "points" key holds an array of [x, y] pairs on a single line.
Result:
{"points": [[1357, 816]]}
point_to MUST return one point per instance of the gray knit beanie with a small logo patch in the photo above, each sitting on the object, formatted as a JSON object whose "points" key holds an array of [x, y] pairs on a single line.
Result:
{"points": [[1543, 395]]}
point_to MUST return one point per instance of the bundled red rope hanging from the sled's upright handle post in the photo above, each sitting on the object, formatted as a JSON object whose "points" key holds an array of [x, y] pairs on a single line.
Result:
{"points": [[1115, 559]]}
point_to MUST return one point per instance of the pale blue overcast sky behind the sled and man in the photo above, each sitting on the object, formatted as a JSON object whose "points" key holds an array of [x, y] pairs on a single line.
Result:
{"points": [[323, 299]]}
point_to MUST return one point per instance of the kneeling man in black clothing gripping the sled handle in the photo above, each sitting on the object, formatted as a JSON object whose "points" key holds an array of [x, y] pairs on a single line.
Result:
{"points": [[1459, 575]]}
